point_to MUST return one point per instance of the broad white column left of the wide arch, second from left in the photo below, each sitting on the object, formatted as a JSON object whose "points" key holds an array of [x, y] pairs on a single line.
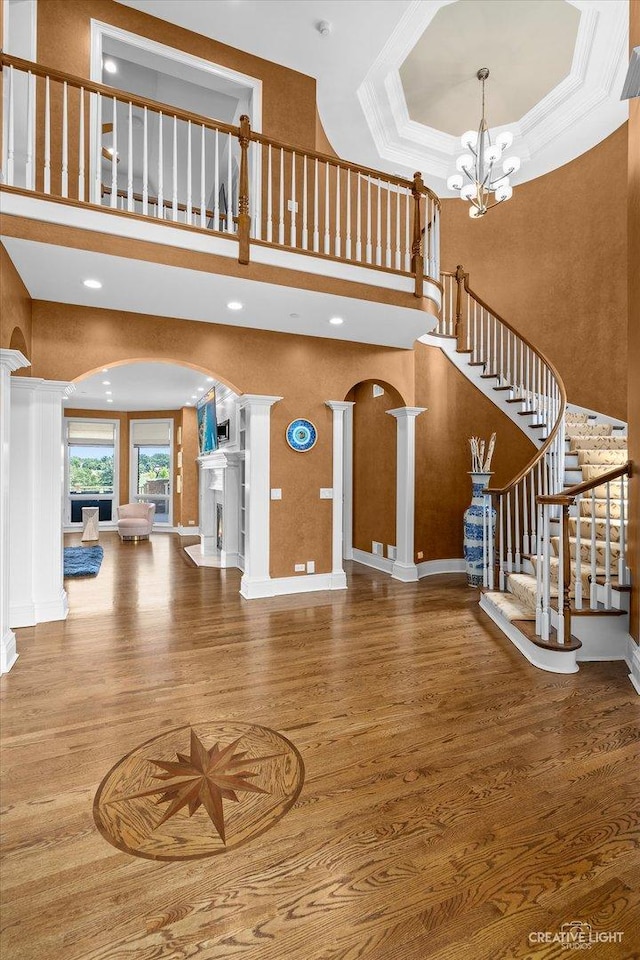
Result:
{"points": [[37, 591]]}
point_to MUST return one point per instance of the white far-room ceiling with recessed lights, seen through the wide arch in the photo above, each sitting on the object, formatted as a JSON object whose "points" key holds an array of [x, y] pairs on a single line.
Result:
{"points": [[140, 386]]}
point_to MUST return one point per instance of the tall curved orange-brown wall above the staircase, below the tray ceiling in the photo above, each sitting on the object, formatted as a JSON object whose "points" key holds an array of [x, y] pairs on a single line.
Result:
{"points": [[553, 262]]}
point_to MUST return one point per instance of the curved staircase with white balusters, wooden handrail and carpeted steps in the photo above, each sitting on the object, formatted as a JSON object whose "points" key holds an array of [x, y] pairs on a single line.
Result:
{"points": [[555, 575]]}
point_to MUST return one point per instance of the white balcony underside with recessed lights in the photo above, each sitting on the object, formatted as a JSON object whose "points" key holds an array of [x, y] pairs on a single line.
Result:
{"points": [[55, 273]]}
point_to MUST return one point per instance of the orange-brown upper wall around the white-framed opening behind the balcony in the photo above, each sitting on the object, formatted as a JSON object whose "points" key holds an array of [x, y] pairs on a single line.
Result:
{"points": [[288, 97]]}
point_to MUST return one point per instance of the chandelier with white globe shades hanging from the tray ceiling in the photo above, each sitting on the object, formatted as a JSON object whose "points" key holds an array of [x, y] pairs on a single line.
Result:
{"points": [[477, 179]]}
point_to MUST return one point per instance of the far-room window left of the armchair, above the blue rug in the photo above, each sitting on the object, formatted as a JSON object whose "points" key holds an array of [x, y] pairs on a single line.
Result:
{"points": [[91, 467]]}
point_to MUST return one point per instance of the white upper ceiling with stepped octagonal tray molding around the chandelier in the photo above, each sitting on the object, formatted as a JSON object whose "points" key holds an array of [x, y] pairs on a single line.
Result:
{"points": [[360, 96]]}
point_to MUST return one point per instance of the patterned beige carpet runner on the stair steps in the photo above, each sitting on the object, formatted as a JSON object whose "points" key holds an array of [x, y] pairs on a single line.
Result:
{"points": [[598, 448]]}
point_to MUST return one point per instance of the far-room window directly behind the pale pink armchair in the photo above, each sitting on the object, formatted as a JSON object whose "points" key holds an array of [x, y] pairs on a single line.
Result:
{"points": [[151, 465]]}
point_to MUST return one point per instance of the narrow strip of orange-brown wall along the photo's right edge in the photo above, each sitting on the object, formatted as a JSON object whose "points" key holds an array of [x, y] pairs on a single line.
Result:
{"points": [[634, 332]]}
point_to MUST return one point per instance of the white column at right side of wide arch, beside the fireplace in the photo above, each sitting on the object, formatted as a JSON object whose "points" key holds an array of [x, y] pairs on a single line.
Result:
{"points": [[256, 580]]}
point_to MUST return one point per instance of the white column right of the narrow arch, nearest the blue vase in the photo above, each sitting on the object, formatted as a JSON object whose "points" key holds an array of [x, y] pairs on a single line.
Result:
{"points": [[404, 567]]}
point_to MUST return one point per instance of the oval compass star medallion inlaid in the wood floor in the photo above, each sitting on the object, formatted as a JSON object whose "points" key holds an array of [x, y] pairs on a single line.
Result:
{"points": [[198, 791]]}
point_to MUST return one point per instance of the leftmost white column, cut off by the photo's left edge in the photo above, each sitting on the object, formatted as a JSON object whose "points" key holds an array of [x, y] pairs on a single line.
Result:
{"points": [[9, 360]]}
